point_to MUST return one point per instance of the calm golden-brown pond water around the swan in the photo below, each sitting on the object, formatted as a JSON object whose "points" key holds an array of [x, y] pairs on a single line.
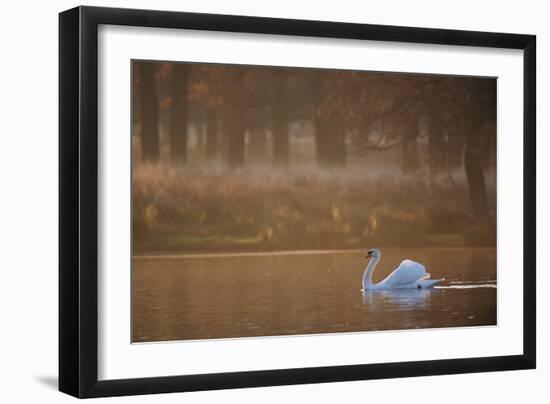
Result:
{"points": [[261, 294]]}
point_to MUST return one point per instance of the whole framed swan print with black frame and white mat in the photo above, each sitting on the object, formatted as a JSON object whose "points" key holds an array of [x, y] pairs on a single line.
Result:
{"points": [[251, 201]]}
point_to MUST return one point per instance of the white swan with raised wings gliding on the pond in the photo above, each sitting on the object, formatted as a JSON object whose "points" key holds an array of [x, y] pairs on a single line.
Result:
{"points": [[408, 275]]}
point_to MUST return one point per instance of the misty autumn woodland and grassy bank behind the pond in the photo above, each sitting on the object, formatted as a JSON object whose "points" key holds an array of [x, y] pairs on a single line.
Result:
{"points": [[253, 158]]}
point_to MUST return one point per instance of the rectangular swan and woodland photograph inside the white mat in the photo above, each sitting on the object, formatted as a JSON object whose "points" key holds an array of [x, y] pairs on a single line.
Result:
{"points": [[273, 201]]}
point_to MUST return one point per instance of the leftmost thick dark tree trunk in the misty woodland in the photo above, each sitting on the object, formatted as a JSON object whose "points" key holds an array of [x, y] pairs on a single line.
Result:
{"points": [[149, 113]]}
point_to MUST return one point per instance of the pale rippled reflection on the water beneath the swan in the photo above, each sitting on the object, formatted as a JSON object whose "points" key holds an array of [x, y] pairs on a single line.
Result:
{"points": [[407, 299]]}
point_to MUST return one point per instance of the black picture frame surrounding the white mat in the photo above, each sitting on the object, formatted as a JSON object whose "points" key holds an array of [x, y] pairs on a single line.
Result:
{"points": [[78, 201]]}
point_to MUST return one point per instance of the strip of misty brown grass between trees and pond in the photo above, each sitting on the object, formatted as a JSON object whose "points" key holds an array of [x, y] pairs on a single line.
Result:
{"points": [[191, 209]]}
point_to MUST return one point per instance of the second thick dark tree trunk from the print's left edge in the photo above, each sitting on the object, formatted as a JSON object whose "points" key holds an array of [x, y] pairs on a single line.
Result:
{"points": [[178, 122]]}
